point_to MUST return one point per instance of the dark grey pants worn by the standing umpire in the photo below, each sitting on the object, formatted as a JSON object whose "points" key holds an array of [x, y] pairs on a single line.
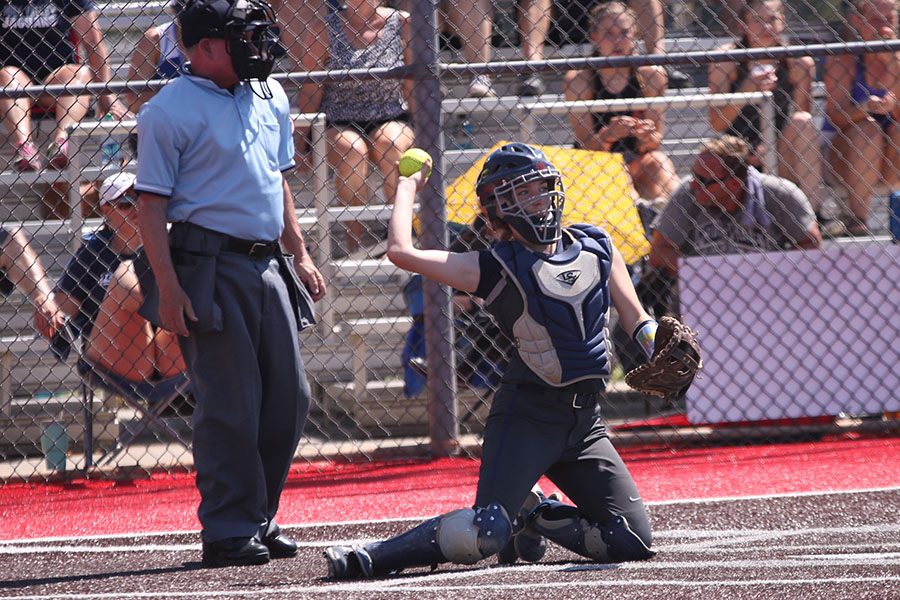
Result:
{"points": [[252, 398]]}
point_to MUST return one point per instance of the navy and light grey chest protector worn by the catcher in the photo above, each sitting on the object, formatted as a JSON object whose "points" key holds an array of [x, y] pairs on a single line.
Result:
{"points": [[561, 333]]}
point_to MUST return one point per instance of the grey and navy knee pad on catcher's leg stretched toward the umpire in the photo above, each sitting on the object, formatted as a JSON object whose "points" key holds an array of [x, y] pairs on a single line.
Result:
{"points": [[468, 535]]}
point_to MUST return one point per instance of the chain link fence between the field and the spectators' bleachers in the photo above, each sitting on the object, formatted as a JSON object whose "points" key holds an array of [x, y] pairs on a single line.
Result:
{"points": [[791, 282]]}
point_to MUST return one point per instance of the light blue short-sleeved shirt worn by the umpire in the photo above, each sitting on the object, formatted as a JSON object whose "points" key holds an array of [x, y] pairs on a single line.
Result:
{"points": [[218, 156]]}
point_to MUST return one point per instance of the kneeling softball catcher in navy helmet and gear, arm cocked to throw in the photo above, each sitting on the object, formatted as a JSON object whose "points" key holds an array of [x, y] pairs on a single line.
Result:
{"points": [[550, 290]]}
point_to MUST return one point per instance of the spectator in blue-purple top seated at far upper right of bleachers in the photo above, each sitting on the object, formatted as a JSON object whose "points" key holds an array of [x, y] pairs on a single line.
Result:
{"points": [[863, 112]]}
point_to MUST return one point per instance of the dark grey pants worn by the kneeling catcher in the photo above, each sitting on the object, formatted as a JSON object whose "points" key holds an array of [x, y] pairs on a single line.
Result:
{"points": [[536, 430]]}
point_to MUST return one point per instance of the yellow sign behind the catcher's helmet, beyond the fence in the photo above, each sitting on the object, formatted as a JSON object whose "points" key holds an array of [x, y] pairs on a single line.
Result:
{"points": [[598, 191]]}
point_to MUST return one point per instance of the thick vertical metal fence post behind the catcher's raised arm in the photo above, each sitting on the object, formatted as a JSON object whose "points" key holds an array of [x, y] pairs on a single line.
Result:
{"points": [[443, 426]]}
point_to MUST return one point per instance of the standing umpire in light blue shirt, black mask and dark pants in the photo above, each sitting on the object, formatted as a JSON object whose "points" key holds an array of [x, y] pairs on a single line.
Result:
{"points": [[213, 146]]}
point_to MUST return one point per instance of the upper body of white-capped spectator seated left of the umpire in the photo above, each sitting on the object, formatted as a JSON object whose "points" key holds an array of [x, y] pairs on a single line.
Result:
{"points": [[84, 283]]}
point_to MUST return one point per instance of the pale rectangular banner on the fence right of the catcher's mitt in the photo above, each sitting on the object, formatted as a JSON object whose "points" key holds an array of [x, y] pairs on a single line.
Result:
{"points": [[795, 334]]}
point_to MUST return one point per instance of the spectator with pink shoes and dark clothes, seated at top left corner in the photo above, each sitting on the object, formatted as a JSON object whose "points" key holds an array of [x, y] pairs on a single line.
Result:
{"points": [[39, 44]]}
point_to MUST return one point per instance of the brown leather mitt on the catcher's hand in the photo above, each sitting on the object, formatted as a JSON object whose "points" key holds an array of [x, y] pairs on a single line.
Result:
{"points": [[675, 362]]}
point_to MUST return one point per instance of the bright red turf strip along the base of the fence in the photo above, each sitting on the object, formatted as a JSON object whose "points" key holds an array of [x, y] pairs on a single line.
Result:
{"points": [[343, 492]]}
